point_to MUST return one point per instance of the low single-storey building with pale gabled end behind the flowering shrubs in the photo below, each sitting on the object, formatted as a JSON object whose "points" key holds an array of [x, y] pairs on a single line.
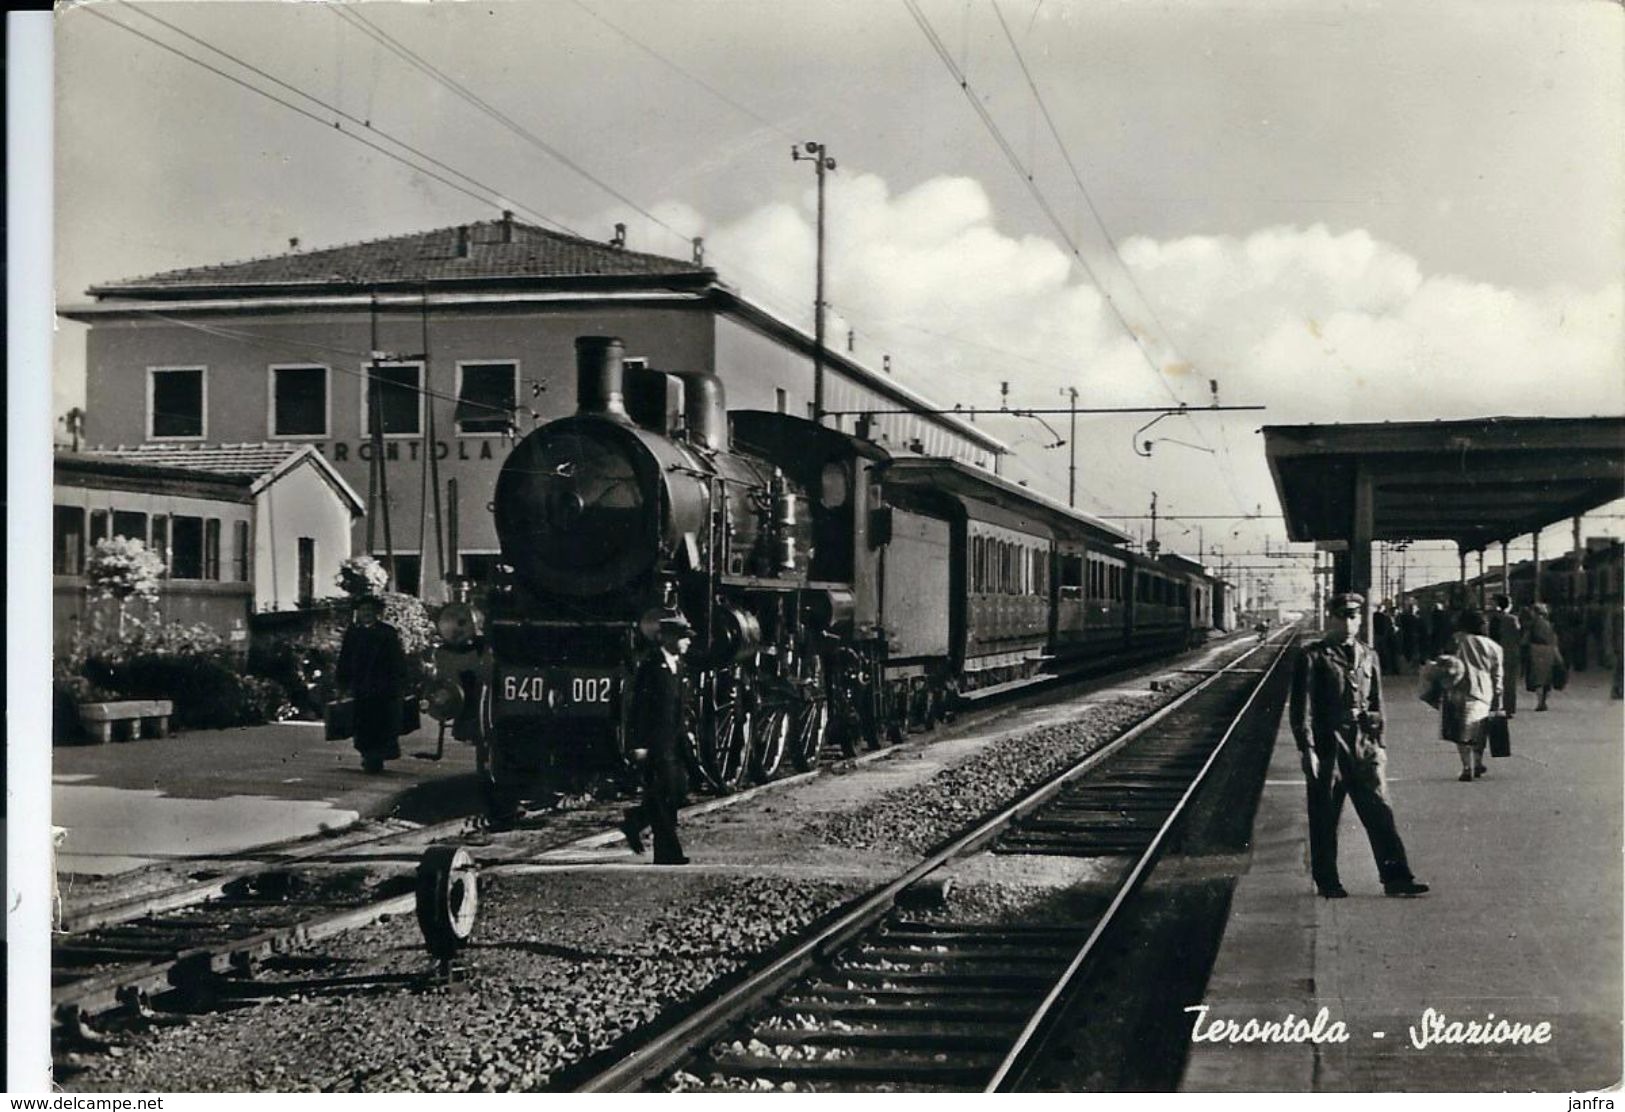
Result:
{"points": [[241, 529]]}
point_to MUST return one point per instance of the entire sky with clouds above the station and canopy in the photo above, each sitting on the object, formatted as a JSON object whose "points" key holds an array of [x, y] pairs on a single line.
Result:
{"points": [[1343, 212]]}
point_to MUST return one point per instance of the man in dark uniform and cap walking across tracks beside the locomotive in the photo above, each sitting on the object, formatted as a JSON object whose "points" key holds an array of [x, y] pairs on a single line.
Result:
{"points": [[657, 729]]}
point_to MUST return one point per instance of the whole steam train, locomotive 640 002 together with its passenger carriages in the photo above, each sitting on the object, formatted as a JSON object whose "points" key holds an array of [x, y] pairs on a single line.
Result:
{"points": [[838, 593]]}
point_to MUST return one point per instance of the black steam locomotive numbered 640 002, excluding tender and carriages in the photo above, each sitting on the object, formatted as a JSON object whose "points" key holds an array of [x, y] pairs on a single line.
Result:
{"points": [[635, 508]]}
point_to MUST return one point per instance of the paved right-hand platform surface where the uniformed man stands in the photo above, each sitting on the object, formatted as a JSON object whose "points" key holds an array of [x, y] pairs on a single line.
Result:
{"points": [[1523, 919]]}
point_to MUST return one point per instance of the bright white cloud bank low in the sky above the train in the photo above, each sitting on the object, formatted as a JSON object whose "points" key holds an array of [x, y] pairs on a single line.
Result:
{"points": [[1320, 324]]}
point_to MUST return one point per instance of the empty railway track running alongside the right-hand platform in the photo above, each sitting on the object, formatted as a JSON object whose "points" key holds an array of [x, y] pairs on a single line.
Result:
{"points": [[890, 999]]}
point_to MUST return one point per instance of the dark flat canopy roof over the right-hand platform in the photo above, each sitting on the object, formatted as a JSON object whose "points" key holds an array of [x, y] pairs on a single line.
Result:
{"points": [[1476, 482]]}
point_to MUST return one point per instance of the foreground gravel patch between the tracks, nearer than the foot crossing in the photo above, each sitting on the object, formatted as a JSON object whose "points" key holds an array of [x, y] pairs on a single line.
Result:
{"points": [[558, 973]]}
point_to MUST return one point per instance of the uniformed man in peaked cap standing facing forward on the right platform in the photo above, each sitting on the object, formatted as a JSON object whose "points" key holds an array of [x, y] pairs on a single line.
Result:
{"points": [[1338, 723]]}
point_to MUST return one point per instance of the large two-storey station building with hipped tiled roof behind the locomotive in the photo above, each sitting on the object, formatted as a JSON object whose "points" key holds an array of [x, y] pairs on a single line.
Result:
{"points": [[472, 337]]}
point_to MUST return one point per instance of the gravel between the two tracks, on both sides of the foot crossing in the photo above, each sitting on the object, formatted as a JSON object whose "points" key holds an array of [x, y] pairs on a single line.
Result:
{"points": [[566, 963]]}
